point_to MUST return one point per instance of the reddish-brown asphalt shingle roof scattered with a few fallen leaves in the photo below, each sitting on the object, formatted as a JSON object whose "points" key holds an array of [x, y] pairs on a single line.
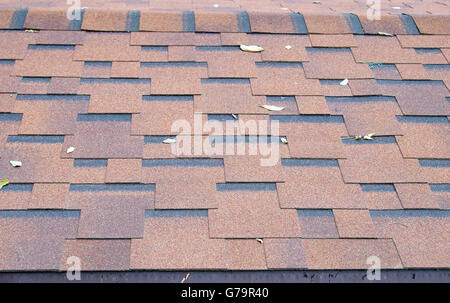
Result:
{"points": [[112, 84]]}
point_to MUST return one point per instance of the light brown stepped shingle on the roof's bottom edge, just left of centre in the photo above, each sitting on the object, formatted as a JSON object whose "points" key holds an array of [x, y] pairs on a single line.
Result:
{"points": [[189, 245]]}
